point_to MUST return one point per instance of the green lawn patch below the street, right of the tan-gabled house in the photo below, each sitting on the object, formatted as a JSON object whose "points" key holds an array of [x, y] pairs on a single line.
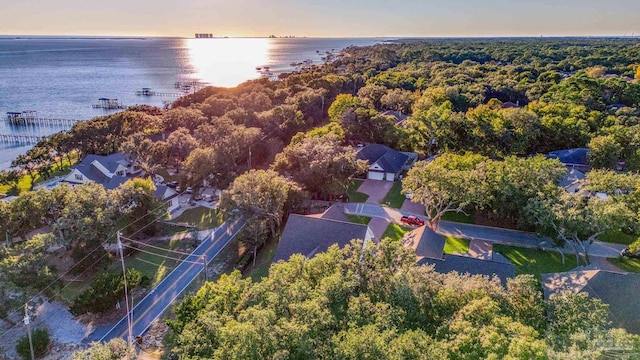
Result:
{"points": [[536, 262]]}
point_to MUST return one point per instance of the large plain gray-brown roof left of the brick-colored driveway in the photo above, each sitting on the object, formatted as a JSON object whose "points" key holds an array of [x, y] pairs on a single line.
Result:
{"points": [[309, 235]]}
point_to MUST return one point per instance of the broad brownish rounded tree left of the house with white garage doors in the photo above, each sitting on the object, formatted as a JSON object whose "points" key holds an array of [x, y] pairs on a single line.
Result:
{"points": [[320, 164]]}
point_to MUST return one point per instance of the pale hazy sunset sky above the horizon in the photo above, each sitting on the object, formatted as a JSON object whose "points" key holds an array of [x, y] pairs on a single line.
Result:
{"points": [[324, 18]]}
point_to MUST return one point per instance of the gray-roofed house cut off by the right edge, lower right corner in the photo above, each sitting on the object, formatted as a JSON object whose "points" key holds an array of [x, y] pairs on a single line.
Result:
{"points": [[618, 290]]}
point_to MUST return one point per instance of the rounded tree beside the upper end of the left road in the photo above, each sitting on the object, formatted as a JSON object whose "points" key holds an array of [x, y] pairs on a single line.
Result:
{"points": [[263, 198]]}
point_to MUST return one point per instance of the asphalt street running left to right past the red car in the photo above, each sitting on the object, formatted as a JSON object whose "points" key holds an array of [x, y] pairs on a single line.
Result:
{"points": [[484, 233]]}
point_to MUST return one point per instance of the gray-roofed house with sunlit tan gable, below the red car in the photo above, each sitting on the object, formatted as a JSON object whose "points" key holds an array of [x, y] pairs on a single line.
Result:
{"points": [[429, 247]]}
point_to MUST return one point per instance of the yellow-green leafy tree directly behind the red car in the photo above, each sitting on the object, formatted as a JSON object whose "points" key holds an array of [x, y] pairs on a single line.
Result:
{"points": [[447, 184]]}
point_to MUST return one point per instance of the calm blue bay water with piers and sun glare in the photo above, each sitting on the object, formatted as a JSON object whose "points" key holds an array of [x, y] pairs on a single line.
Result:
{"points": [[62, 78]]}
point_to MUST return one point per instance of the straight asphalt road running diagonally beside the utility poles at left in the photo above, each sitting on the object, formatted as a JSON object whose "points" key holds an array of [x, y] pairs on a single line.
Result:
{"points": [[152, 306]]}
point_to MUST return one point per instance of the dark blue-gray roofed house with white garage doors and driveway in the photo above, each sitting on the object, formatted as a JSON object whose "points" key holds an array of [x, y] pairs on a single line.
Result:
{"points": [[385, 163]]}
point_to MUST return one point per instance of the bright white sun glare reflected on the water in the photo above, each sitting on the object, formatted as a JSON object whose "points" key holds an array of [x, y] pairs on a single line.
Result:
{"points": [[227, 62]]}
